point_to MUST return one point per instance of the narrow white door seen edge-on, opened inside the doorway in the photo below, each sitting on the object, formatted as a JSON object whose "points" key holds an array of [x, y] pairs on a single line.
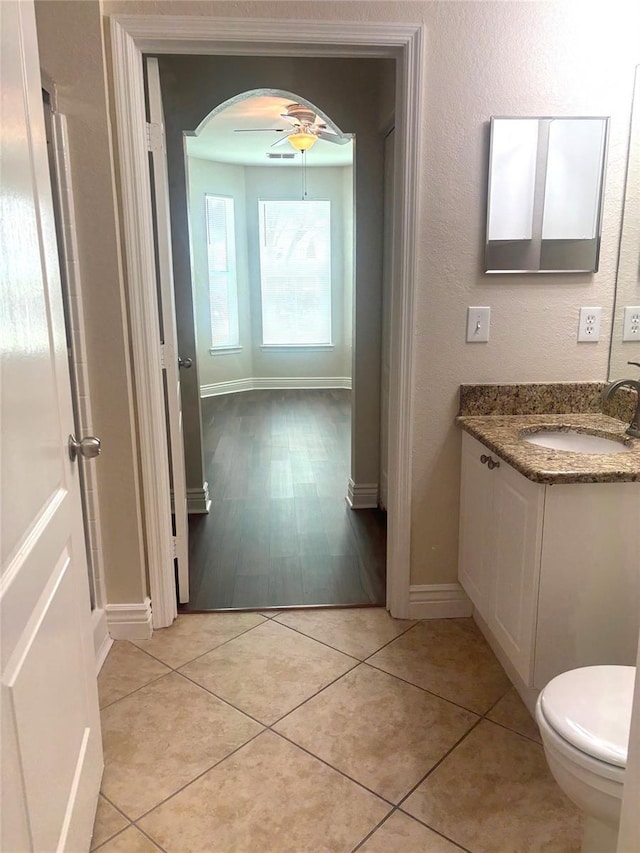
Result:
{"points": [[169, 333]]}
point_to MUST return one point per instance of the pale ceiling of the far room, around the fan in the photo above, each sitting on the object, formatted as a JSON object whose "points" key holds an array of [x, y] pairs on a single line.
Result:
{"points": [[218, 141]]}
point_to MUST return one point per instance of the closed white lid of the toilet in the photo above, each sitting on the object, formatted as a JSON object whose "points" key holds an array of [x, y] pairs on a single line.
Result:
{"points": [[591, 708]]}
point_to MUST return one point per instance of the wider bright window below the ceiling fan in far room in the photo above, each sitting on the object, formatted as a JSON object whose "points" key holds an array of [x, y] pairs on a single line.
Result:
{"points": [[295, 272]]}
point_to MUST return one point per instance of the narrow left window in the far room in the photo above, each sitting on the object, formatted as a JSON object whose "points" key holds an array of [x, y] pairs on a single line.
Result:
{"points": [[221, 252]]}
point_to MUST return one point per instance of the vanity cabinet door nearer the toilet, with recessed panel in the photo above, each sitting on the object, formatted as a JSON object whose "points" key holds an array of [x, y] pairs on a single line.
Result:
{"points": [[518, 511]]}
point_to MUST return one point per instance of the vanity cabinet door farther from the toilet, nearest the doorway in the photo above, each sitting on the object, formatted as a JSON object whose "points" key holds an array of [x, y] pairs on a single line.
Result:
{"points": [[476, 519]]}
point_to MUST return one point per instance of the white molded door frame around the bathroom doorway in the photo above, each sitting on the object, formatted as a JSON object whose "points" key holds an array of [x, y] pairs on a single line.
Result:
{"points": [[133, 35]]}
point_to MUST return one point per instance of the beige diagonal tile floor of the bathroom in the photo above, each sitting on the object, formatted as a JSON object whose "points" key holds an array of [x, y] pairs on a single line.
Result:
{"points": [[321, 730]]}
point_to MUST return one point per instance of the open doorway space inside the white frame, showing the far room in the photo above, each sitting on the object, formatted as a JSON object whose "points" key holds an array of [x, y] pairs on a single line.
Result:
{"points": [[273, 276]]}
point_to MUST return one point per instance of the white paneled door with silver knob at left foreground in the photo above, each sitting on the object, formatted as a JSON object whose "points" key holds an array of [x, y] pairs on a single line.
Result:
{"points": [[51, 744]]}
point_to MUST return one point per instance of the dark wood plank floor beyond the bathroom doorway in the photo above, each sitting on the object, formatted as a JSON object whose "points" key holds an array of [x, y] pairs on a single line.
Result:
{"points": [[279, 533]]}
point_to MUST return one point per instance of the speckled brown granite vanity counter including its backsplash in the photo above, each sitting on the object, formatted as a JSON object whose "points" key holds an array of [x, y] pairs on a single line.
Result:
{"points": [[497, 415]]}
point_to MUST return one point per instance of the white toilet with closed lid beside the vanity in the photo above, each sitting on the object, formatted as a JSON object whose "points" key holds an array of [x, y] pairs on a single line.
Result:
{"points": [[584, 717]]}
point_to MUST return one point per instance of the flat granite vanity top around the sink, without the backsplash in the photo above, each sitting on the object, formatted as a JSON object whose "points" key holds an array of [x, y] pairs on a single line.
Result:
{"points": [[501, 433]]}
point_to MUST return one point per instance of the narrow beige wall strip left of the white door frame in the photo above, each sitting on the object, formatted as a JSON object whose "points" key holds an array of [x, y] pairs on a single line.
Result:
{"points": [[71, 53]]}
